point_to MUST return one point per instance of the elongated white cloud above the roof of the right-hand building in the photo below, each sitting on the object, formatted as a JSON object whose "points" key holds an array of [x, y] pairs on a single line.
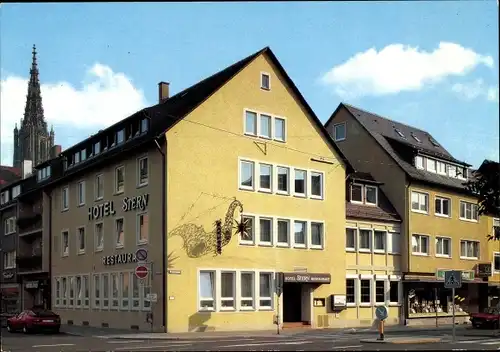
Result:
{"points": [[399, 67]]}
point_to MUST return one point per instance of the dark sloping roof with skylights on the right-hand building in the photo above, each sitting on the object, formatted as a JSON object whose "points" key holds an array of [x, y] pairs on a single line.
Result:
{"points": [[383, 130]]}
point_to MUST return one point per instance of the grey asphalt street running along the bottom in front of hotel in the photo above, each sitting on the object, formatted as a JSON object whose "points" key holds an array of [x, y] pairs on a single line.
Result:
{"points": [[299, 342]]}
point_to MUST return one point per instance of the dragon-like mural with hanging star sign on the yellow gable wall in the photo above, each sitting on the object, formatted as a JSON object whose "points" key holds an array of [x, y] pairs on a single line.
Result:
{"points": [[197, 242]]}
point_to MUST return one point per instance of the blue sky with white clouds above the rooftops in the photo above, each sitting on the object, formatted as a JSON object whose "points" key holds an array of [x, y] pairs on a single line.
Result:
{"points": [[100, 62]]}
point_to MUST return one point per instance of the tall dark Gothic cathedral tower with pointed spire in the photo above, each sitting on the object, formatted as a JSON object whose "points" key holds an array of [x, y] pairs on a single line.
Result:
{"points": [[33, 141]]}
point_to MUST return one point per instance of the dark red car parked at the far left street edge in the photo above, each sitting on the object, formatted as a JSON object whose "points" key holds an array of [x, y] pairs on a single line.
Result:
{"points": [[34, 320]]}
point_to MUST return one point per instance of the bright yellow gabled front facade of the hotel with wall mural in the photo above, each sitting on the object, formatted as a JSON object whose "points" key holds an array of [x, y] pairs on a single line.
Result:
{"points": [[252, 152]]}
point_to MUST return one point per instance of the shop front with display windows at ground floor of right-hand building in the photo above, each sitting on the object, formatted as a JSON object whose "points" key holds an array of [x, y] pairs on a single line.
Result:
{"points": [[428, 302]]}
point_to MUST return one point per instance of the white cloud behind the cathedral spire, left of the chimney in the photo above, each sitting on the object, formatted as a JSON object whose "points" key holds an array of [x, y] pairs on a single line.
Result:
{"points": [[105, 98]]}
